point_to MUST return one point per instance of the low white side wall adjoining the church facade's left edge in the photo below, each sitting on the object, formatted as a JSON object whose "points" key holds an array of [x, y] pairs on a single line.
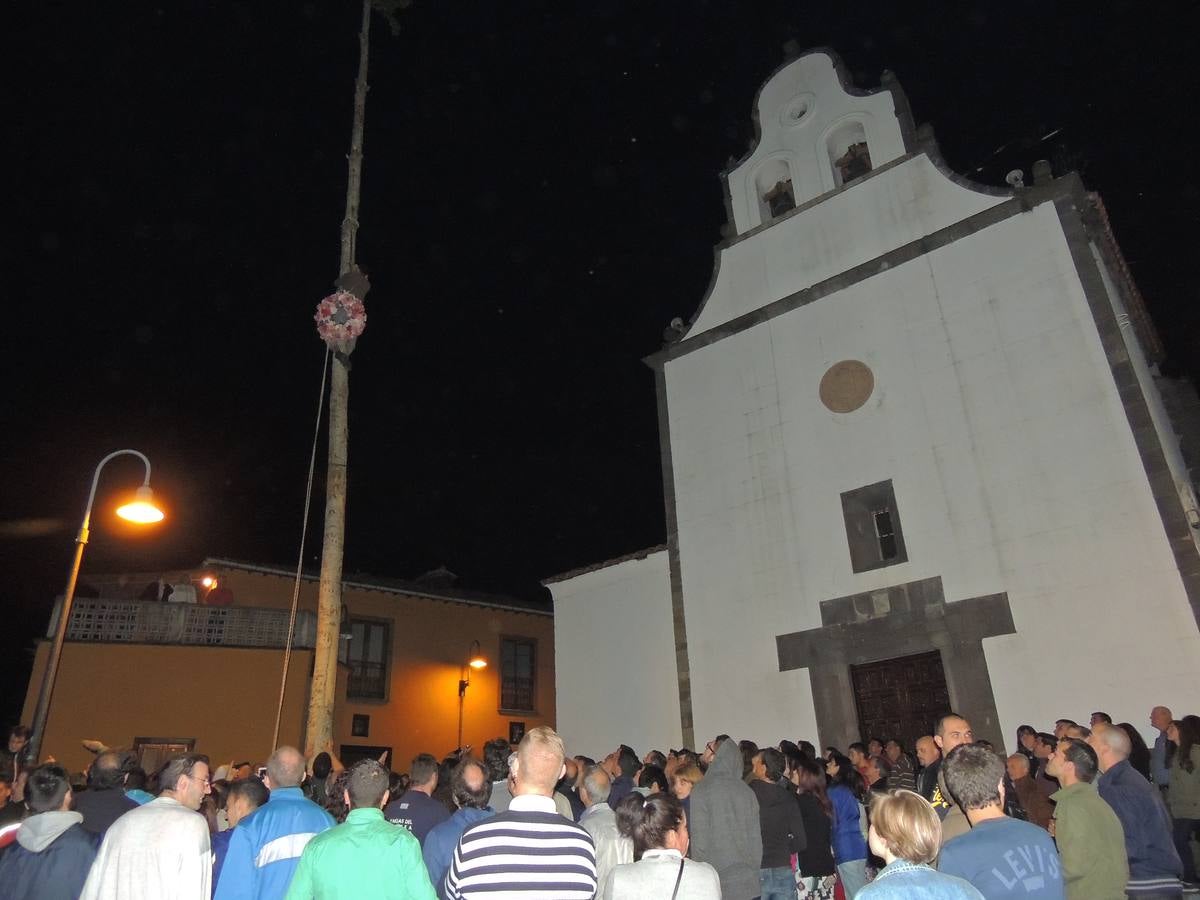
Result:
{"points": [[615, 664]]}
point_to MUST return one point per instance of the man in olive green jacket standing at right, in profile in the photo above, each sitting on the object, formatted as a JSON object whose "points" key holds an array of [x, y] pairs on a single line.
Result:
{"points": [[1091, 842]]}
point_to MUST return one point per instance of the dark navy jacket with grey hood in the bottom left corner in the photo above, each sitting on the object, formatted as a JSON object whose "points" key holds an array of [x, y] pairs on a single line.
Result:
{"points": [[51, 859]]}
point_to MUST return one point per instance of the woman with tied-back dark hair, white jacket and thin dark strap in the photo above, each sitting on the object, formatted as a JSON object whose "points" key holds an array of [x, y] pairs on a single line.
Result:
{"points": [[658, 827]]}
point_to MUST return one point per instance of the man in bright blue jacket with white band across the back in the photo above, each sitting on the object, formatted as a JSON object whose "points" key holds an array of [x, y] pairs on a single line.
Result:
{"points": [[267, 845]]}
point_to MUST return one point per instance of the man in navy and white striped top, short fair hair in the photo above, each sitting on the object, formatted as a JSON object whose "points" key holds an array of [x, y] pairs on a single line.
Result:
{"points": [[530, 851]]}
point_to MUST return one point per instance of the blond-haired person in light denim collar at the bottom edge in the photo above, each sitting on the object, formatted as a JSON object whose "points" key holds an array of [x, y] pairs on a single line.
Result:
{"points": [[907, 833]]}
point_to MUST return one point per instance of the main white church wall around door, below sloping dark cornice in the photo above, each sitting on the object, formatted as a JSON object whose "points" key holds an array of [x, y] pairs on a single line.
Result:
{"points": [[1013, 465]]}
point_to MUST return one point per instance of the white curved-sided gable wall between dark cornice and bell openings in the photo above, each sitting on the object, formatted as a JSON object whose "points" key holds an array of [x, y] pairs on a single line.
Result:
{"points": [[869, 219]]}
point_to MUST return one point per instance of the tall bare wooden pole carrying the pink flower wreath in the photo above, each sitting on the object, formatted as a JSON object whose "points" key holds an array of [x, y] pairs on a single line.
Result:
{"points": [[320, 735]]}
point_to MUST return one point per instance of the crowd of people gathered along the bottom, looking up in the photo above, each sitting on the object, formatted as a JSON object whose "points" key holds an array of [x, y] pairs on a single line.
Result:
{"points": [[1079, 813]]}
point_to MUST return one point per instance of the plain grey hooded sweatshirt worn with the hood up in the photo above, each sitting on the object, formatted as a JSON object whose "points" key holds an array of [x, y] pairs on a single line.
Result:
{"points": [[724, 825]]}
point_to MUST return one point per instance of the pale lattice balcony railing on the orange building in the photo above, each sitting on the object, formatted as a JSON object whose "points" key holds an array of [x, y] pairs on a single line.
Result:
{"points": [[147, 622]]}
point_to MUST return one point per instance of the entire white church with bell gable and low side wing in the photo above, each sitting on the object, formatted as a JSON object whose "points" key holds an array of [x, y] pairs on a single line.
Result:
{"points": [[915, 459]]}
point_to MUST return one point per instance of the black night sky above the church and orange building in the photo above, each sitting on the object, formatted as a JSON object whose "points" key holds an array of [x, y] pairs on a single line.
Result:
{"points": [[541, 199]]}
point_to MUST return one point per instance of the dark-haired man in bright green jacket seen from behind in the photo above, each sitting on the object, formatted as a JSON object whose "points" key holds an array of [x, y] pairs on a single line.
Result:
{"points": [[367, 857]]}
